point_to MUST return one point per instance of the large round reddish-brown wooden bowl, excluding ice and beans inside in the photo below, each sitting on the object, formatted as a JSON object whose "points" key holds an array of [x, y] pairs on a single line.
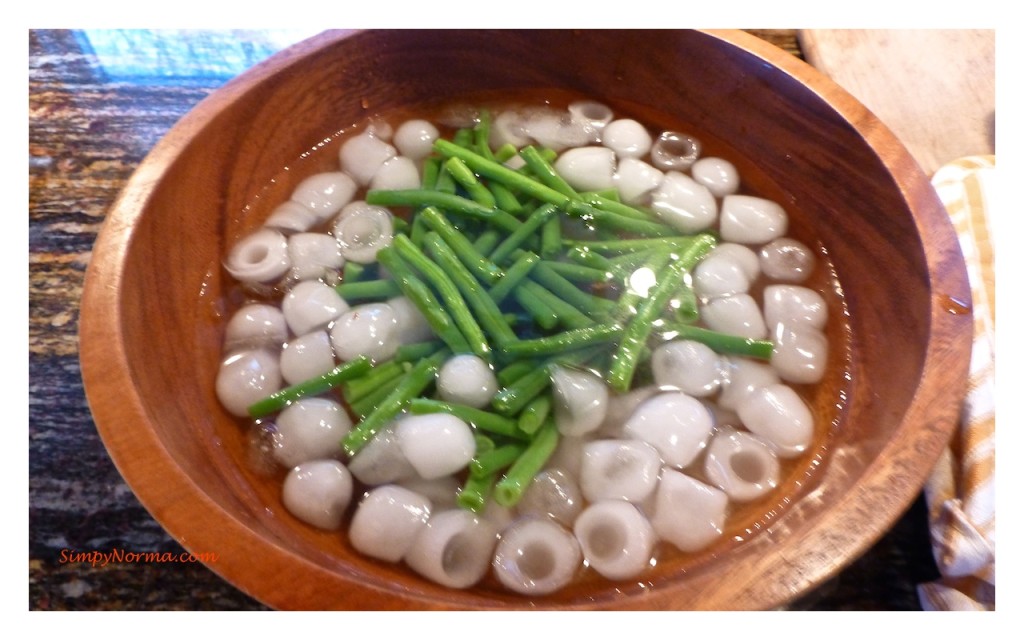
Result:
{"points": [[153, 311]]}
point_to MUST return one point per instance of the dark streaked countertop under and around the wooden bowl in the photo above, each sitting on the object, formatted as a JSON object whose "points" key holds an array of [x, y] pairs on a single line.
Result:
{"points": [[91, 124]]}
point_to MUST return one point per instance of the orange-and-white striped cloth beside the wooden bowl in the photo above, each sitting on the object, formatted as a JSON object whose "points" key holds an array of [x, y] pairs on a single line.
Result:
{"points": [[961, 492]]}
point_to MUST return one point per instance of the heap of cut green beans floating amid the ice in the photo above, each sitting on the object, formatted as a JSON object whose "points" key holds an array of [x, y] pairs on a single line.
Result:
{"points": [[486, 259]]}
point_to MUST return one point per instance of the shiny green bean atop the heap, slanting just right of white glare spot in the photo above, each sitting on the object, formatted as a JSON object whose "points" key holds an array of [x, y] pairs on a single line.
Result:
{"points": [[634, 339]]}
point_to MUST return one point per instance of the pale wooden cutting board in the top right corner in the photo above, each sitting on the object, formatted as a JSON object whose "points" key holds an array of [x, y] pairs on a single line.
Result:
{"points": [[934, 89]]}
